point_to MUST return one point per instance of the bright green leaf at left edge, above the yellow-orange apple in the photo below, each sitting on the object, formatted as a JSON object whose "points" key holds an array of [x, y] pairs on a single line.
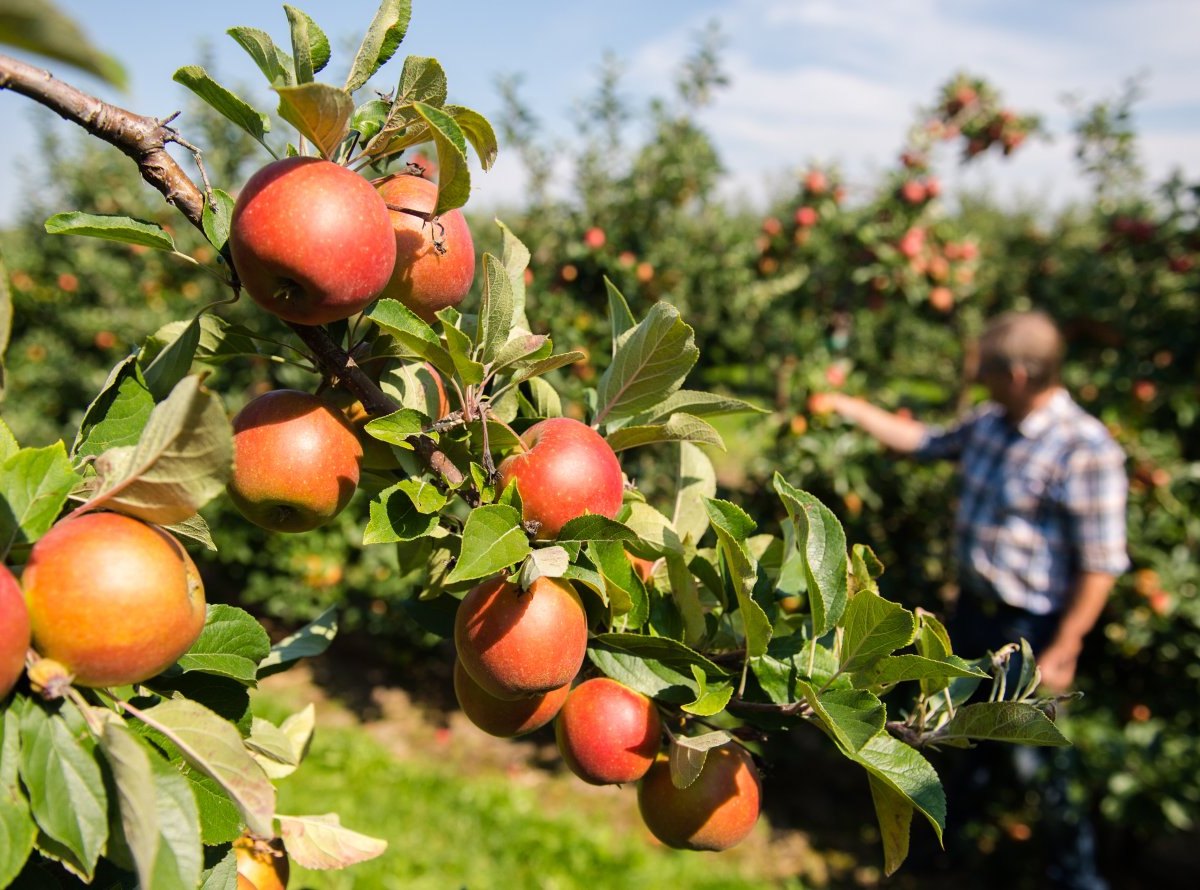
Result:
{"points": [[34, 488]]}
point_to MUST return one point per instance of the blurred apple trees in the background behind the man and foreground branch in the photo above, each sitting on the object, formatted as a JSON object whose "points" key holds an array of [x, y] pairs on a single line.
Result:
{"points": [[874, 287]]}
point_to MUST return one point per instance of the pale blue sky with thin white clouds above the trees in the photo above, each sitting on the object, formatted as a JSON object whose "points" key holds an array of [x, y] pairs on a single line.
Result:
{"points": [[812, 80]]}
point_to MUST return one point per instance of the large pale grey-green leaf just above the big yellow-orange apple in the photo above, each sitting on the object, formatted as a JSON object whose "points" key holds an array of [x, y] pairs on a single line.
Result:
{"points": [[183, 460]]}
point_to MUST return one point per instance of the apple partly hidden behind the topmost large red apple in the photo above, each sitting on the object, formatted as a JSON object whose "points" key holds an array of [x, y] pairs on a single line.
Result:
{"points": [[435, 257]]}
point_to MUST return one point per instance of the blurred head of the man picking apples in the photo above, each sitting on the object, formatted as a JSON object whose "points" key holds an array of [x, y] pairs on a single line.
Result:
{"points": [[1021, 359]]}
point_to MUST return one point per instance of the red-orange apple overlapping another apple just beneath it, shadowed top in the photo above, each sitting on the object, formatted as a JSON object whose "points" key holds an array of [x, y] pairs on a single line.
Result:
{"points": [[518, 644]]}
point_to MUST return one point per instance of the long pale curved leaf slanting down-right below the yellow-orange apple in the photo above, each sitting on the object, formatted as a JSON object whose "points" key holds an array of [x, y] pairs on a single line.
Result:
{"points": [[214, 747]]}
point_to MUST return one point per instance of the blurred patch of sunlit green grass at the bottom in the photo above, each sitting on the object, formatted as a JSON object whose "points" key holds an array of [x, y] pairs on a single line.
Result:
{"points": [[452, 826]]}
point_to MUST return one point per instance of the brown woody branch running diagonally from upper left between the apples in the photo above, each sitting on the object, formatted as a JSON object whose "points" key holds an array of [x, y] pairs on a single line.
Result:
{"points": [[146, 140]]}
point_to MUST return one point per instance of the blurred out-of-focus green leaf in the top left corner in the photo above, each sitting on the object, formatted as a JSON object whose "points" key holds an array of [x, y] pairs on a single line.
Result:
{"points": [[40, 27]]}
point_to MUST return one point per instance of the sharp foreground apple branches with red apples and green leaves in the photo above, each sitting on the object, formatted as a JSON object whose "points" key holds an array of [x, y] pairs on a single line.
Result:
{"points": [[542, 558]]}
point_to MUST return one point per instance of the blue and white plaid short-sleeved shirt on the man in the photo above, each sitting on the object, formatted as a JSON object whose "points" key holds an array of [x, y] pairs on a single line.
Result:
{"points": [[1040, 503]]}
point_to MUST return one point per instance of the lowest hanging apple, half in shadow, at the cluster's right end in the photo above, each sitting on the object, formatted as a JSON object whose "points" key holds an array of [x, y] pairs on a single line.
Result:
{"points": [[715, 813]]}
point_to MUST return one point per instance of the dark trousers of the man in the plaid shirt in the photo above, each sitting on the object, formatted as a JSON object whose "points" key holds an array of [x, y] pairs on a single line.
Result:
{"points": [[971, 777]]}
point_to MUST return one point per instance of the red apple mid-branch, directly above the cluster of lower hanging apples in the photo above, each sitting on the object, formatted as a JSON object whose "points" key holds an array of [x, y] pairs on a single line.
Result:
{"points": [[567, 471]]}
